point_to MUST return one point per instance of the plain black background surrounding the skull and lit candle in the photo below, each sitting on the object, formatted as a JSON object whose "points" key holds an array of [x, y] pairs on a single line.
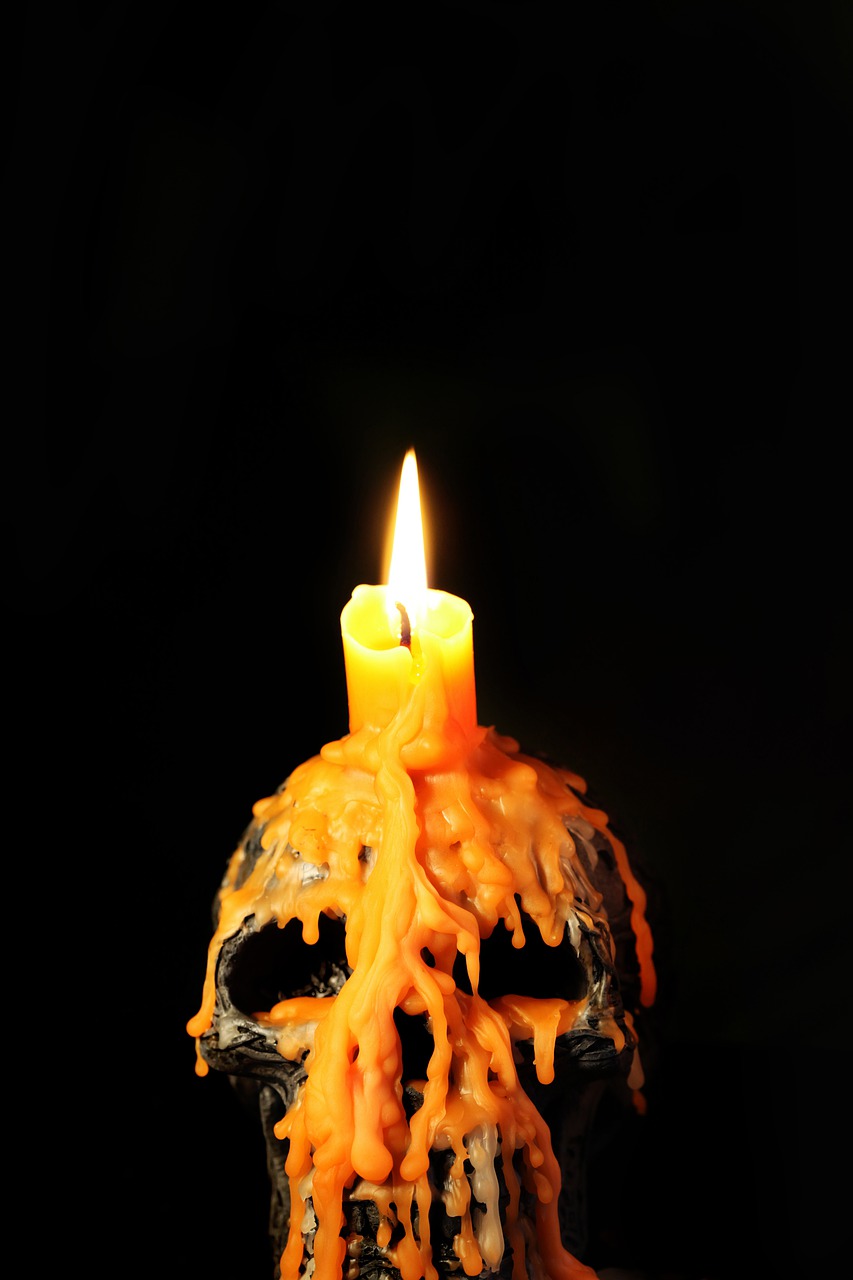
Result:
{"points": [[597, 272]]}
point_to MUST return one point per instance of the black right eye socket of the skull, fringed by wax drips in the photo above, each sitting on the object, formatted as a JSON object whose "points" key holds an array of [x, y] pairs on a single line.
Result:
{"points": [[535, 970]]}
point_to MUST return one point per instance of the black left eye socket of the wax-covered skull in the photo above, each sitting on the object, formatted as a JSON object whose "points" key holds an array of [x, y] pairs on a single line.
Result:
{"points": [[276, 964]]}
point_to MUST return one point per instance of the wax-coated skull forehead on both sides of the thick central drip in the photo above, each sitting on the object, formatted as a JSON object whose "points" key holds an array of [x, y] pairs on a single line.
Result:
{"points": [[312, 852]]}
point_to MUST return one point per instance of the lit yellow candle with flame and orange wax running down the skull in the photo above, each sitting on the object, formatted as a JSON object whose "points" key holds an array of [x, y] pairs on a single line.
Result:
{"points": [[425, 833]]}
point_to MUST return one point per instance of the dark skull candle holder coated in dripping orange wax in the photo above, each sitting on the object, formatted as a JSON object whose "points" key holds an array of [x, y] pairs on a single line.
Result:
{"points": [[478, 1044]]}
